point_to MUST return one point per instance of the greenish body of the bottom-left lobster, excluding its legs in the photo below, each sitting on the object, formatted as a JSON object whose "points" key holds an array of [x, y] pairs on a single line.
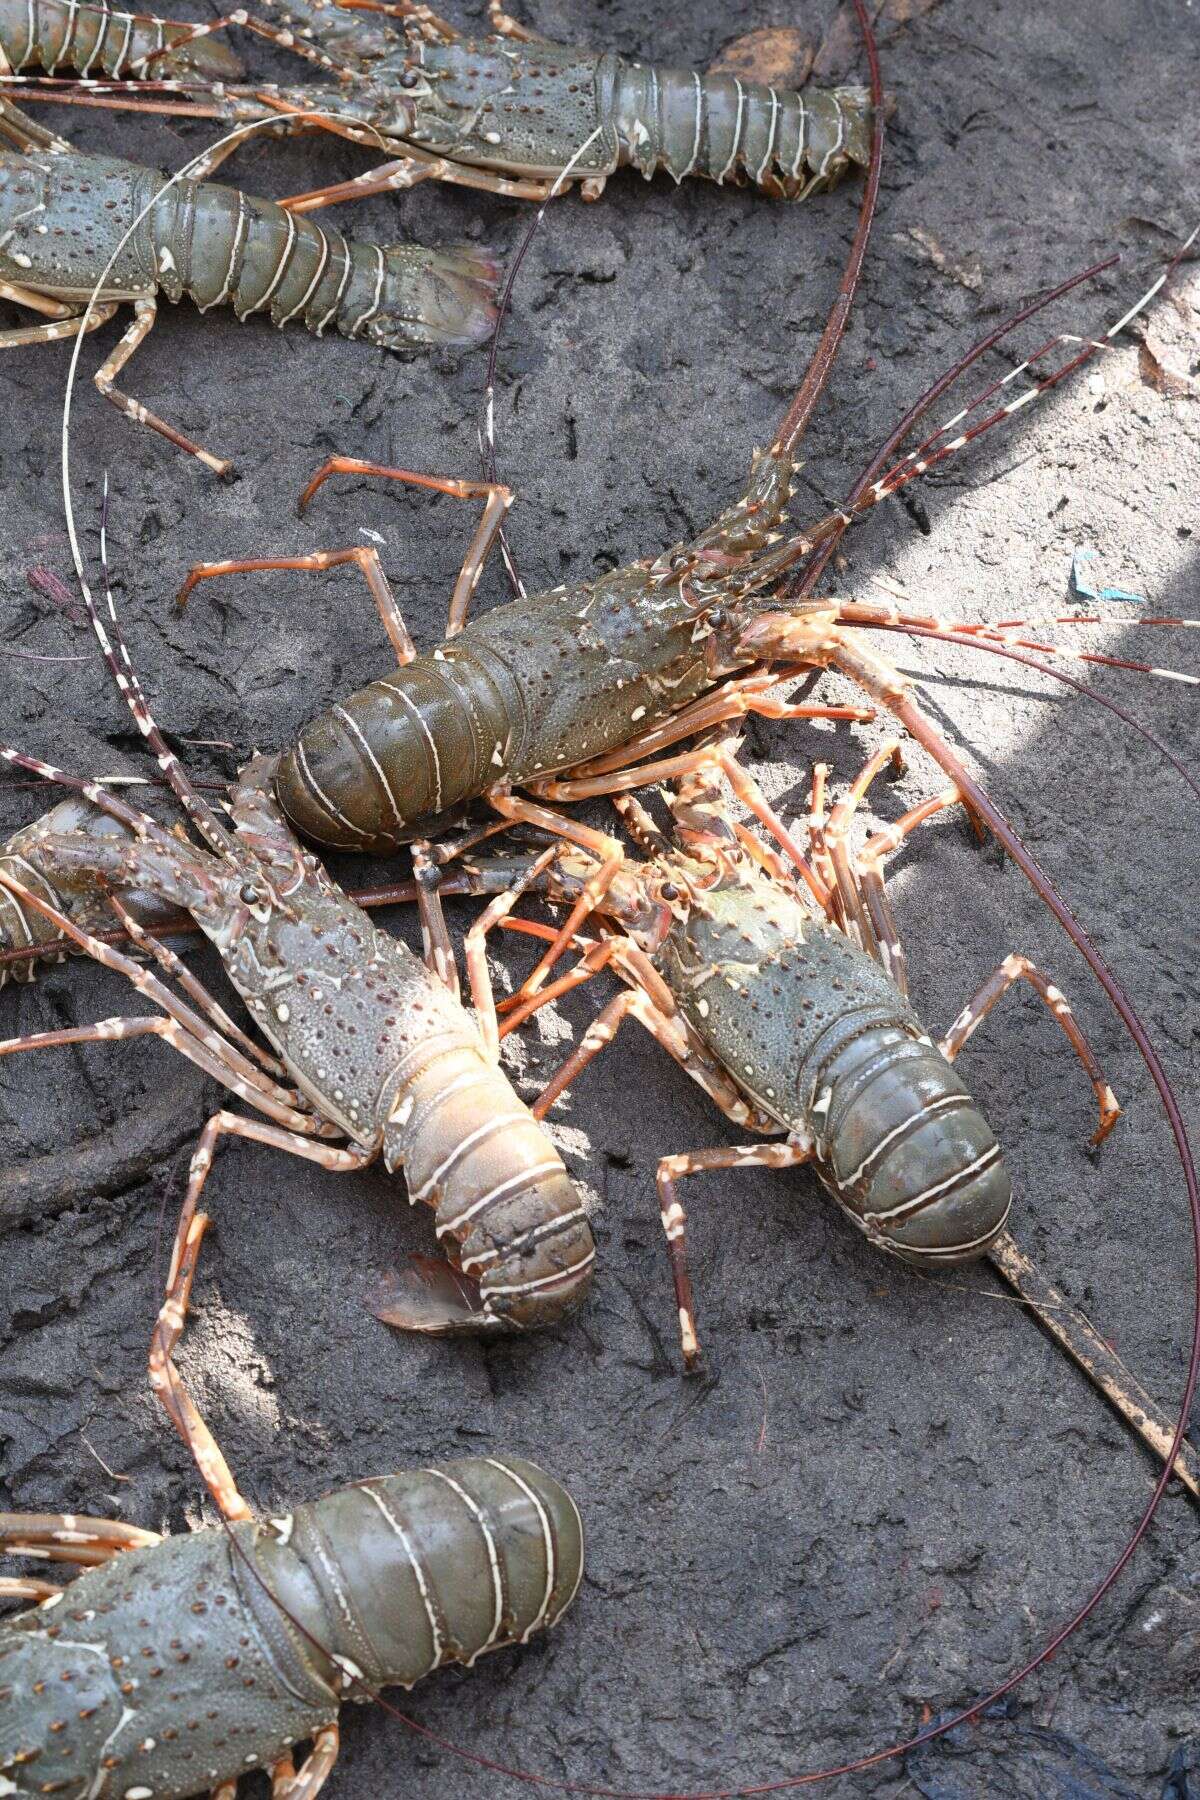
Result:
{"points": [[188, 1664]]}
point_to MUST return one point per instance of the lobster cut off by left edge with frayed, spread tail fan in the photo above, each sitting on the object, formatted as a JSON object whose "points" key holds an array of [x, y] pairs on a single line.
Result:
{"points": [[69, 222]]}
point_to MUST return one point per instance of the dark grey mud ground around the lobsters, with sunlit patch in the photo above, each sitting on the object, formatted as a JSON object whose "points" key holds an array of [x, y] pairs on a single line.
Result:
{"points": [[888, 1489]]}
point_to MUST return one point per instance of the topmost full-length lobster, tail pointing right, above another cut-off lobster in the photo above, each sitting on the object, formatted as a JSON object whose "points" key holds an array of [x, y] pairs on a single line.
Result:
{"points": [[512, 112]]}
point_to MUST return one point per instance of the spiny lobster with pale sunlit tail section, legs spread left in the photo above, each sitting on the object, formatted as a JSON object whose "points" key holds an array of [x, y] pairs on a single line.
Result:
{"points": [[379, 1048]]}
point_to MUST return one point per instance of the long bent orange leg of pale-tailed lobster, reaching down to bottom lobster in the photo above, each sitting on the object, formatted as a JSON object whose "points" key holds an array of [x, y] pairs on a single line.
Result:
{"points": [[165, 1376]]}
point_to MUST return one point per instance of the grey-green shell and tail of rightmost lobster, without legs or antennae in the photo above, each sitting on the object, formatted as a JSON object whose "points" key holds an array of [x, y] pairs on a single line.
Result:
{"points": [[819, 1038]]}
